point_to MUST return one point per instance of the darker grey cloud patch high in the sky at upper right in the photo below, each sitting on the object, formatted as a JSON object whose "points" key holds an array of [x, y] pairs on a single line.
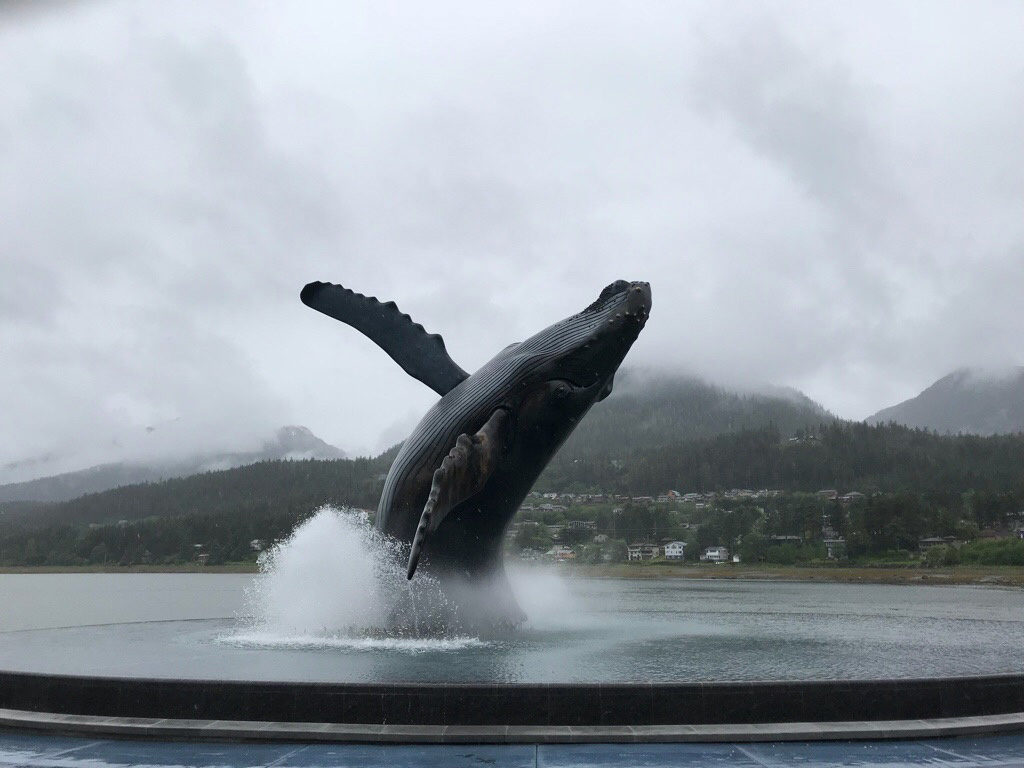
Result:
{"points": [[805, 114]]}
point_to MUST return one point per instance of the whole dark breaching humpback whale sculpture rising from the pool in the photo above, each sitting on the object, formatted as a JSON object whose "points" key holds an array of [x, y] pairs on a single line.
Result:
{"points": [[462, 475]]}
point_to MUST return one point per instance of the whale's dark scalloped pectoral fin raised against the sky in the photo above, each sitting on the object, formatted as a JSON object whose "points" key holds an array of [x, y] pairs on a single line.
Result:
{"points": [[422, 356]]}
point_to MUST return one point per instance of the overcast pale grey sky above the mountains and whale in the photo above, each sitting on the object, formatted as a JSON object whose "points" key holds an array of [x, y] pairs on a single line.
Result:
{"points": [[827, 196]]}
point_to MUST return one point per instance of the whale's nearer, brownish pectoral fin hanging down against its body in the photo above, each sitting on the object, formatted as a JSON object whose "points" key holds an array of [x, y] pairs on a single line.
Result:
{"points": [[463, 474]]}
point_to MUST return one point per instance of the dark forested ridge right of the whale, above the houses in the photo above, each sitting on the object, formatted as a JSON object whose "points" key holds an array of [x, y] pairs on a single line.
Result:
{"points": [[848, 456]]}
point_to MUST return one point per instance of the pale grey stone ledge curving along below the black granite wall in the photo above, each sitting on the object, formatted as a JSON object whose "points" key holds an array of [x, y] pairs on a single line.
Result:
{"points": [[241, 731]]}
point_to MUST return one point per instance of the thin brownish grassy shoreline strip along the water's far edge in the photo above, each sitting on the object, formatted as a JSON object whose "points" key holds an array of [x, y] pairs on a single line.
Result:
{"points": [[984, 576]]}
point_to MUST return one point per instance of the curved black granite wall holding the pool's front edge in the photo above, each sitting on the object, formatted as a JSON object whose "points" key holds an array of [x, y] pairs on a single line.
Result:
{"points": [[518, 705]]}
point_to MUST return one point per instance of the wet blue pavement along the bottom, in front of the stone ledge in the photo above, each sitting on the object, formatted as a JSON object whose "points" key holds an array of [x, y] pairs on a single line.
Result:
{"points": [[22, 749]]}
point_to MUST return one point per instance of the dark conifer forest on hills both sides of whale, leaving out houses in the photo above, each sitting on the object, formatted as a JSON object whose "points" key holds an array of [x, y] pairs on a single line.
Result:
{"points": [[922, 478]]}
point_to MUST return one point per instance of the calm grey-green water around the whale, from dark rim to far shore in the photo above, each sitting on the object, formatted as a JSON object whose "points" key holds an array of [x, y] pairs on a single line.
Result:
{"points": [[196, 626]]}
